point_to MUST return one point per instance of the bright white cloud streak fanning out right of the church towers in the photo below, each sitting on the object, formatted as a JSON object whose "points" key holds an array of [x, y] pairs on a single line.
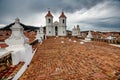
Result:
{"points": [[103, 10]]}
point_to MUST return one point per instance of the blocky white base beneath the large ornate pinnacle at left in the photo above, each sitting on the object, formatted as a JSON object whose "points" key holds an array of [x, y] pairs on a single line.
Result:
{"points": [[23, 53]]}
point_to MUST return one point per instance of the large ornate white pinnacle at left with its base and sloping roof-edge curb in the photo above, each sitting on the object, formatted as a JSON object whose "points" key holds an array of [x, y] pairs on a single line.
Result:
{"points": [[18, 43]]}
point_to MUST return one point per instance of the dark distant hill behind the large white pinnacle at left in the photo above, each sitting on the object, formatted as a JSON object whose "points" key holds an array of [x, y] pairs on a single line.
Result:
{"points": [[26, 27]]}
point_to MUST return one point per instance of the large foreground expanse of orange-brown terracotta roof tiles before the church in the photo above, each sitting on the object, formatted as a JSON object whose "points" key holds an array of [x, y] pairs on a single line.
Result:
{"points": [[69, 60]]}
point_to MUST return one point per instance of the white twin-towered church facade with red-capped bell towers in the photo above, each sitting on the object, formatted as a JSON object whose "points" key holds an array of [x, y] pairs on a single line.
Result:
{"points": [[55, 28]]}
